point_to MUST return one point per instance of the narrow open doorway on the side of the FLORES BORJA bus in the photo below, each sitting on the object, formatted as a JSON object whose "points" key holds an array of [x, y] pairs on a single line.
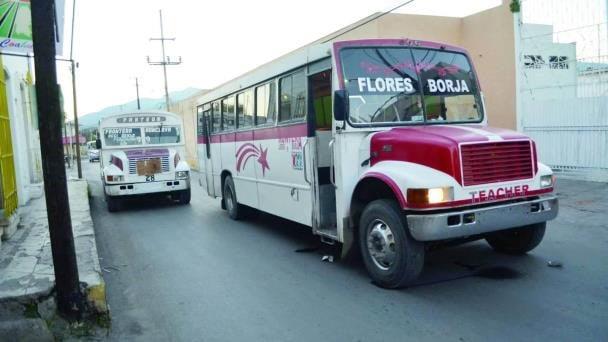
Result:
{"points": [[320, 119]]}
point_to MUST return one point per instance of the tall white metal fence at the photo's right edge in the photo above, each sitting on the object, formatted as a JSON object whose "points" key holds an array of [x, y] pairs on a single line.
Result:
{"points": [[563, 76]]}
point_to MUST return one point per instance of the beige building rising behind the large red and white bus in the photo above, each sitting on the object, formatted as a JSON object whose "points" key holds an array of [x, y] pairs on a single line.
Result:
{"points": [[489, 36]]}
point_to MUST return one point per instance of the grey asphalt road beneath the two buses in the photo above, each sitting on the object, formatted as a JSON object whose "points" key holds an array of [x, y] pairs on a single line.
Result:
{"points": [[189, 273]]}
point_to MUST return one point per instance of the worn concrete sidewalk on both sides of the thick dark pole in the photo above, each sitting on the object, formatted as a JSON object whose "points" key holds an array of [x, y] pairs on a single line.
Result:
{"points": [[26, 264]]}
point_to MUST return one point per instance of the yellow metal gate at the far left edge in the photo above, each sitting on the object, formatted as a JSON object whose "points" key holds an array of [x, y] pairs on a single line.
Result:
{"points": [[7, 166]]}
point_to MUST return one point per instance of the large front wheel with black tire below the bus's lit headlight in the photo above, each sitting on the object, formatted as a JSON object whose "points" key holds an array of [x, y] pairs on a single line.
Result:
{"points": [[408, 254]]}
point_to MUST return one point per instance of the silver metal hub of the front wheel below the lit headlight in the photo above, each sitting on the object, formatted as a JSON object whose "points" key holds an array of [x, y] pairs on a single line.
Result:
{"points": [[381, 245]]}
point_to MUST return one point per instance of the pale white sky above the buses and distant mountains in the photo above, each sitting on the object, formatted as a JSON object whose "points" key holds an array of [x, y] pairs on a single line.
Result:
{"points": [[217, 40]]}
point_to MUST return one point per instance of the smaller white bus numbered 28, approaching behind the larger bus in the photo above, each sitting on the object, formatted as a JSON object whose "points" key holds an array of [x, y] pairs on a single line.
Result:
{"points": [[141, 154]]}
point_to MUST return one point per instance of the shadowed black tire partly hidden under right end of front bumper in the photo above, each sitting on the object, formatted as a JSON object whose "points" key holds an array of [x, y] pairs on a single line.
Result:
{"points": [[517, 241]]}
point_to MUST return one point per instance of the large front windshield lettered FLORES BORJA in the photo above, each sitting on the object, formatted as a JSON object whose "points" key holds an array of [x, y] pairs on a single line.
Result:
{"points": [[397, 85]]}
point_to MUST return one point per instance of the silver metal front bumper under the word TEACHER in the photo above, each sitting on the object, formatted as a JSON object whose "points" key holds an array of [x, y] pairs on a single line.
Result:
{"points": [[470, 222]]}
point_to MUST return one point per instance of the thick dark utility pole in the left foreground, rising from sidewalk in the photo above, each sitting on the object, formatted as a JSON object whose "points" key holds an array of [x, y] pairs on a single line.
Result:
{"points": [[70, 301]]}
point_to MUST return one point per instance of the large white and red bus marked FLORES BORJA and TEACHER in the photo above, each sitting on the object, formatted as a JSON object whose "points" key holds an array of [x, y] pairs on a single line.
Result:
{"points": [[380, 143]]}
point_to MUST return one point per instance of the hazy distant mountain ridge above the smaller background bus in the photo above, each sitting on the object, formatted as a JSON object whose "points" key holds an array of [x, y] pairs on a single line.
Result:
{"points": [[92, 119]]}
